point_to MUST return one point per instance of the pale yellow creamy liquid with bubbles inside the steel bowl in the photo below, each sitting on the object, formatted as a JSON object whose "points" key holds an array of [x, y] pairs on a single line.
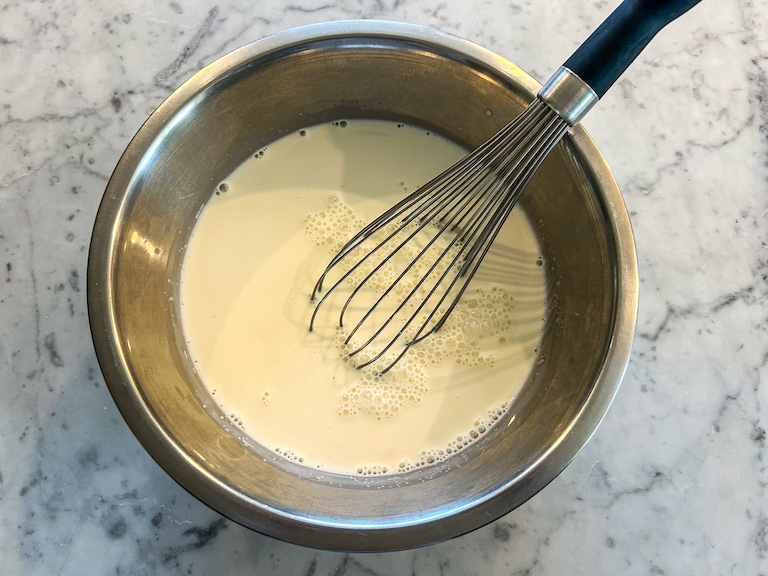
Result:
{"points": [[253, 258]]}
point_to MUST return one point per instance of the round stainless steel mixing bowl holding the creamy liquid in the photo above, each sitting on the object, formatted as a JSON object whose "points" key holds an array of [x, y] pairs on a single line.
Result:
{"points": [[280, 84]]}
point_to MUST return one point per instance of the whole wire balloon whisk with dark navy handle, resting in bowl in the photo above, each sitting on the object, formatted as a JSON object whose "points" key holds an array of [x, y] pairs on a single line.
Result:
{"points": [[454, 218]]}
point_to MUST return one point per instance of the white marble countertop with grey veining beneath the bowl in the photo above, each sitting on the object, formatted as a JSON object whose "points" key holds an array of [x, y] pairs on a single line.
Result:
{"points": [[673, 482]]}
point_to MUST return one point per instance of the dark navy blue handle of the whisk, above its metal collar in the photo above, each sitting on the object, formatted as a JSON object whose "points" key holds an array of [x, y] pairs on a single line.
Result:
{"points": [[604, 56]]}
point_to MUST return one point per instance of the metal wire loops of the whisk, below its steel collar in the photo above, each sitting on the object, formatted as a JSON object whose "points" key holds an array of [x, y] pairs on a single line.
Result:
{"points": [[446, 227]]}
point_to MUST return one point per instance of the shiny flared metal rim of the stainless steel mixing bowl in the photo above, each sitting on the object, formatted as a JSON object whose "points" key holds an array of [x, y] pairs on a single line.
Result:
{"points": [[220, 497]]}
